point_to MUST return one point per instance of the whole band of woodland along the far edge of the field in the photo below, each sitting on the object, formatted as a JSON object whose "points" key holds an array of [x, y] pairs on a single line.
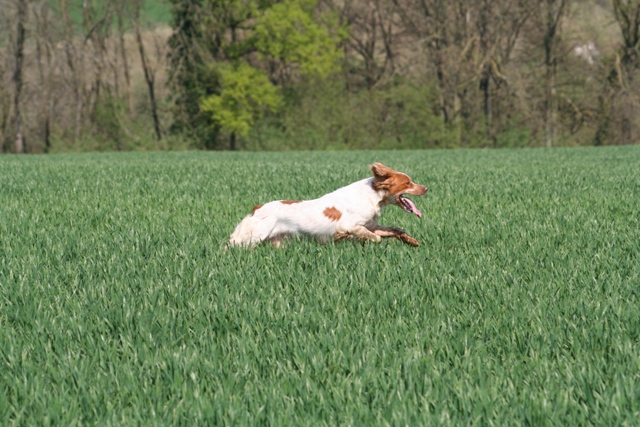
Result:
{"points": [[315, 74]]}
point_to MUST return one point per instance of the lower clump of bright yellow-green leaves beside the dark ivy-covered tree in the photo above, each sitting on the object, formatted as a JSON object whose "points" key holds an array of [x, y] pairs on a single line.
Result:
{"points": [[244, 94]]}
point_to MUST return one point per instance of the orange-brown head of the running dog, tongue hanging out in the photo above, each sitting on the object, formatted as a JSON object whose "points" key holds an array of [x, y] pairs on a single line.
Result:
{"points": [[396, 185]]}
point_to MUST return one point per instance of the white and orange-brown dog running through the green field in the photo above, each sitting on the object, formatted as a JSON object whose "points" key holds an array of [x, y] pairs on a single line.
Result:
{"points": [[350, 212]]}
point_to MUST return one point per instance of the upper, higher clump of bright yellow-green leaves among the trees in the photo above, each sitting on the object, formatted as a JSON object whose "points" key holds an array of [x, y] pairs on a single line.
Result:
{"points": [[289, 32]]}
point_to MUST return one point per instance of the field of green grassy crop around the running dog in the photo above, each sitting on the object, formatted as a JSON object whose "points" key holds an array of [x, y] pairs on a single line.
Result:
{"points": [[119, 304]]}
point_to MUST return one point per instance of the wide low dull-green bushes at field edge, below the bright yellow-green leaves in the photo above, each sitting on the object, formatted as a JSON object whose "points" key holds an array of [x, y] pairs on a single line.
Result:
{"points": [[322, 114]]}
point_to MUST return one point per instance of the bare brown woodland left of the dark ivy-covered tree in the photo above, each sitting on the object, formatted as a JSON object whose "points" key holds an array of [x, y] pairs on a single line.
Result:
{"points": [[80, 75]]}
